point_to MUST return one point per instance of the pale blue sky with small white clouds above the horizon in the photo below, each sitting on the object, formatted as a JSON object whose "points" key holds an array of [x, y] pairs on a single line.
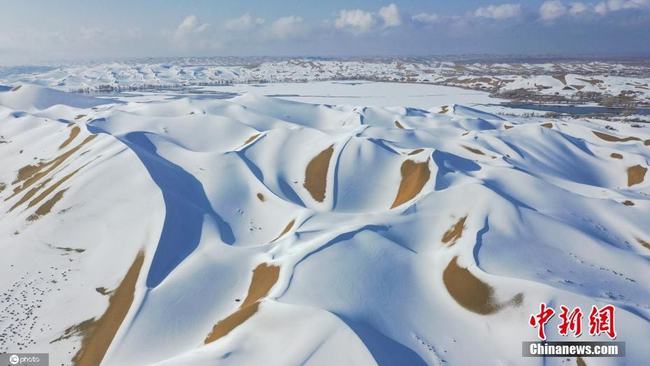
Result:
{"points": [[35, 31]]}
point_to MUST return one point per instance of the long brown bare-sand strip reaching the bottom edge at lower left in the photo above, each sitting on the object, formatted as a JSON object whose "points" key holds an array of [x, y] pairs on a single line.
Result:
{"points": [[98, 334]]}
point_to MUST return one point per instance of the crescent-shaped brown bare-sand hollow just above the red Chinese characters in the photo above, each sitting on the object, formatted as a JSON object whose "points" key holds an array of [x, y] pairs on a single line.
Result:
{"points": [[472, 293]]}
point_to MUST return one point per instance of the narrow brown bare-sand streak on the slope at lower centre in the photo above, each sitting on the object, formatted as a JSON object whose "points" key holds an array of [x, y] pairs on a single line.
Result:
{"points": [[264, 277]]}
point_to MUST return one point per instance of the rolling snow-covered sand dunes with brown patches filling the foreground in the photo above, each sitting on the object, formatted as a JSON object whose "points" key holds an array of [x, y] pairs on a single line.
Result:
{"points": [[257, 230]]}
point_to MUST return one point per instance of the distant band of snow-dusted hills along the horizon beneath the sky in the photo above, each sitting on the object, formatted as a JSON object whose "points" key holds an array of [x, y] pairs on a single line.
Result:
{"points": [[606, 83]]}
